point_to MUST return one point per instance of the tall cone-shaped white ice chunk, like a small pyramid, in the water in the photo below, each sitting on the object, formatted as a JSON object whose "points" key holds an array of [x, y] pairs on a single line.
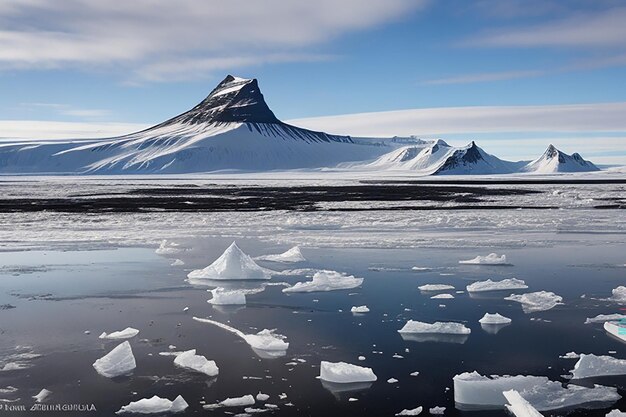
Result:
{"points": [[233, 264]]}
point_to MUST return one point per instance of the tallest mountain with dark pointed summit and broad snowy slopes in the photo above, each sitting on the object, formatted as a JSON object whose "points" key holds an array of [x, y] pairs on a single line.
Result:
{"points": [[232, 129]]}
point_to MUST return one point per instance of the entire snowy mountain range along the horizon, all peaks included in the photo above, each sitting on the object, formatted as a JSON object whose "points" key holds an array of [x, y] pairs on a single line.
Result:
{"points": [[233, 128]]}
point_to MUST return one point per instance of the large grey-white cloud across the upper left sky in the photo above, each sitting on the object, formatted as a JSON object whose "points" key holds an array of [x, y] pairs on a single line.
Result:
{"points": [[150, 37]]}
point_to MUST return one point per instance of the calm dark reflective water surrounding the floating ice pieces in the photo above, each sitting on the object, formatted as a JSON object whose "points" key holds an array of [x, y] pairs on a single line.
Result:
{"points": [[59, 295]]}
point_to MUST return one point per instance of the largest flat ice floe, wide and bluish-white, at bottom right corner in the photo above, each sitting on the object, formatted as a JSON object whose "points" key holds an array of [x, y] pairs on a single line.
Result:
{"points": [[474, 391]]}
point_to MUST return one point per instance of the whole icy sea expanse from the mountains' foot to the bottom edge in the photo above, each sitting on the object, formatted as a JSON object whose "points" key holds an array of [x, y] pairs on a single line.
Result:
{"points": [[79, 258]]}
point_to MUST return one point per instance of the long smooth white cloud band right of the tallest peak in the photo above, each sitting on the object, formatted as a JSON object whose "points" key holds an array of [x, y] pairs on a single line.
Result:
{"points": [[600, 117]]}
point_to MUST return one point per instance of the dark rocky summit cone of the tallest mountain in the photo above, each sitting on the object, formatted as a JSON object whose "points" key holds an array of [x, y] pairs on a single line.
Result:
{"points": [[234, 100]]}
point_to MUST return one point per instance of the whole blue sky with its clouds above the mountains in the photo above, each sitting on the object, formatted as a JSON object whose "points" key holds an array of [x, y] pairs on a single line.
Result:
{"points": [[77, 67]]}
